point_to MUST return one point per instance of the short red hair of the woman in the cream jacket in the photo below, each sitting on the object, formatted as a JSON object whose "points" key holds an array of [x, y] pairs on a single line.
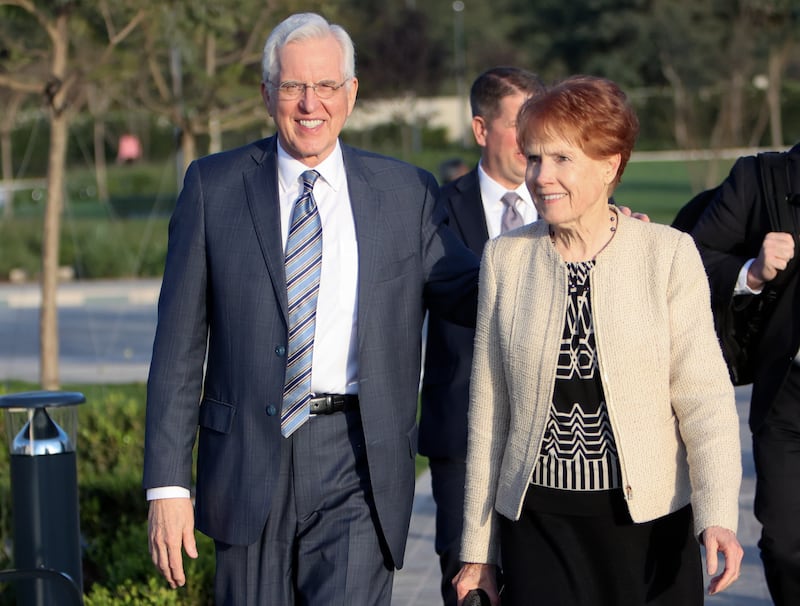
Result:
{"points": [[589, 112]]}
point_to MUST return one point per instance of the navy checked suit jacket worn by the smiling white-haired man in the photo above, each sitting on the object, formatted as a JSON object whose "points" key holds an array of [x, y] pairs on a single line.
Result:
{"points": [[223, 303]]}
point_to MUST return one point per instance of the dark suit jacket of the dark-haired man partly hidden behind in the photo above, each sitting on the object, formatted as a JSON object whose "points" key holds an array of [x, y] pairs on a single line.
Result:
{"points": [[448, 353]]}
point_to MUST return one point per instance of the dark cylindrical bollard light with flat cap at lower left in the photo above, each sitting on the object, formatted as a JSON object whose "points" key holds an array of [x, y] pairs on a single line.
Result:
{"points": [[42, 432]]}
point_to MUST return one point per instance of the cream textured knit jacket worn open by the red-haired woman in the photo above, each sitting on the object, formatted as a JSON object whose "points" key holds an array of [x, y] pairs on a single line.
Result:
{"points": [[670, 401]]}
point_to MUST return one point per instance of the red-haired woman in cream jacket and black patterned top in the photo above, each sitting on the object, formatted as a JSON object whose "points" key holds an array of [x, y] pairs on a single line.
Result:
{"points": [[603, 435]]}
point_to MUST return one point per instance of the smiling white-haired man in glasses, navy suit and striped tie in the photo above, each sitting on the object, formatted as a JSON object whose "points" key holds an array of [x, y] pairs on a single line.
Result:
{"points": [[314, 510]]}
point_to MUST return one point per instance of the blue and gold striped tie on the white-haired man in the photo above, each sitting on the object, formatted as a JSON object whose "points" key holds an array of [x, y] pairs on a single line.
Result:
{"points": [[303, 269]]}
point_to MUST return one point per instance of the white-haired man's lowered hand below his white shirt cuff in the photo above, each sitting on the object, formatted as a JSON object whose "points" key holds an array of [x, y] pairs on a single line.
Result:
{"points": [[171, 529]]}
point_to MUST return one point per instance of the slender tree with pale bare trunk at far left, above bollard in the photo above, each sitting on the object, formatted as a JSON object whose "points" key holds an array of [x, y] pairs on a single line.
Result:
{"points": [[65, 42]]}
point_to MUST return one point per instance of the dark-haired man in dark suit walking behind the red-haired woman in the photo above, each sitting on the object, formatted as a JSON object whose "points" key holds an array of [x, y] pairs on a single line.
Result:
{"points": [[474, 204]]}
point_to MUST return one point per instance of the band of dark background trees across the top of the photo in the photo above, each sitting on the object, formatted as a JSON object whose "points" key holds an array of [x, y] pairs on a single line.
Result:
{"points": [[707, 72]]}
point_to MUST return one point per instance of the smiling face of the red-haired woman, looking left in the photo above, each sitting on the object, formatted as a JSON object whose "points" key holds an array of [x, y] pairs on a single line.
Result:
{"points": [[567, 186]]}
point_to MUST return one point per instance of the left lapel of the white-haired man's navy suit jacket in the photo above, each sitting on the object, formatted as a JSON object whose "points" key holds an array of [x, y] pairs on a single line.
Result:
{"points": [[261, 188]]}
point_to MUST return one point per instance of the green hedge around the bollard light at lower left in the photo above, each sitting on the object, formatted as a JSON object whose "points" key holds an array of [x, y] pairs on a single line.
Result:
{"points": [[117, 569]]}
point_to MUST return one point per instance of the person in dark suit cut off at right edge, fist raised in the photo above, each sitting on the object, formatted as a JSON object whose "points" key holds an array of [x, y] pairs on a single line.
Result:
{"points": [[741, 255]]}
